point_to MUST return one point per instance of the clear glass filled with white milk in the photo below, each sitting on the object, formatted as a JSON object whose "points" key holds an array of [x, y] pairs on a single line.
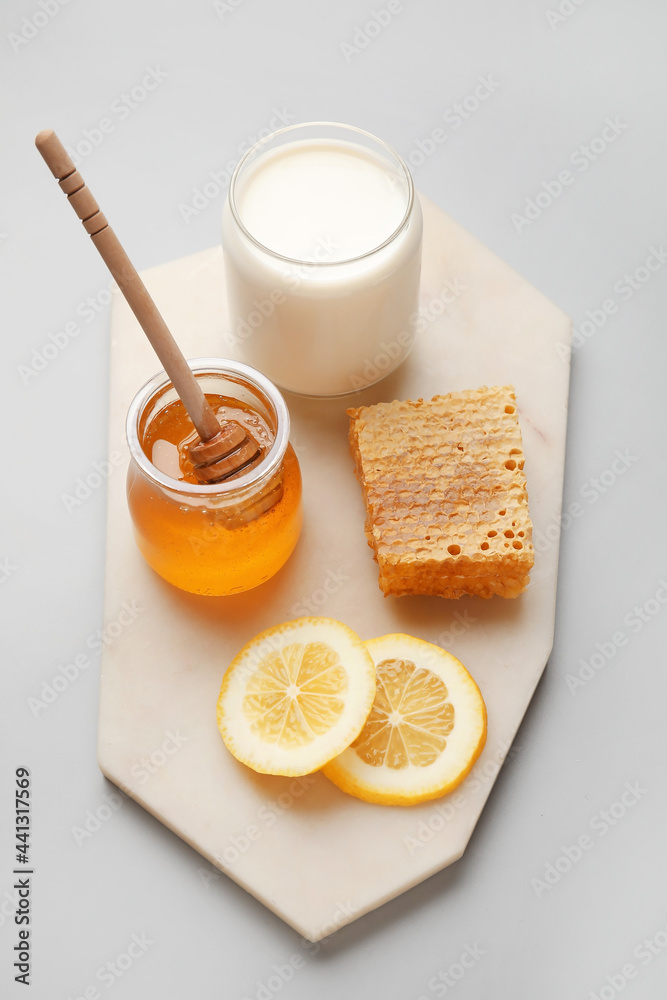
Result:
{"points": [[322, 237]]}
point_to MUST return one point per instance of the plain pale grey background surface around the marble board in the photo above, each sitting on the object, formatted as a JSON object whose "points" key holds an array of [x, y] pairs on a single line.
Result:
{"points": [[225, 71]]}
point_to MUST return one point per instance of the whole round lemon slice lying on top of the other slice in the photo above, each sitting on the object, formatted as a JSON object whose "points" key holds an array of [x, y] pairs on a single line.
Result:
{"points": [[296, 696]]}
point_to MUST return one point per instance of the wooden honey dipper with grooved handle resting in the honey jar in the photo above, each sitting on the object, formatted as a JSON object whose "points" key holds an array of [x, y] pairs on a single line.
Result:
{"points": [[221, 451]]}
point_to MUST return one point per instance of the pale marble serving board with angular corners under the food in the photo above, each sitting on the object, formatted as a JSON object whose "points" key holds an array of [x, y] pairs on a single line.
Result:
{"points": [[316, 857]]}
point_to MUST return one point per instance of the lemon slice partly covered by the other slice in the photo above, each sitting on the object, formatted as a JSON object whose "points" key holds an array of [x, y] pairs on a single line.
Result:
{"points": [[425, 730]]}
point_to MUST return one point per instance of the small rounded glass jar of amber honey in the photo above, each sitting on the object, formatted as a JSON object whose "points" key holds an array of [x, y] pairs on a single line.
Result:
{"points": [[226, 537]]}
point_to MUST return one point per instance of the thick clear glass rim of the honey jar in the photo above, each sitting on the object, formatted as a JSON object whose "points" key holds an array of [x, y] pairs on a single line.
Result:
{"points": [[211, 366]]}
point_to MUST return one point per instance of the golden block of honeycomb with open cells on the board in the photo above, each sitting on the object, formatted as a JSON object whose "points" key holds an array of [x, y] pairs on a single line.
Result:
{"points": [[445, 493]]}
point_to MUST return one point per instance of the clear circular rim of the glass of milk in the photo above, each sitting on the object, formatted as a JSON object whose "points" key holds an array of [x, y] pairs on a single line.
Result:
{"points": [[231, 195]]}
